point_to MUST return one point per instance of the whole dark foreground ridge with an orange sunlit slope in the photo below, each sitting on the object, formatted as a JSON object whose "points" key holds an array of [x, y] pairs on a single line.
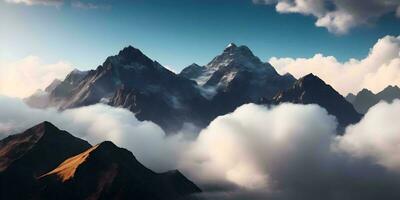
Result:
{"points": [[47, 163]]}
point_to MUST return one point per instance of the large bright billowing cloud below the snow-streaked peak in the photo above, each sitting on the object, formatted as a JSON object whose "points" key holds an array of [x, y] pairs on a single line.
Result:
{"points": [[239, 147]]}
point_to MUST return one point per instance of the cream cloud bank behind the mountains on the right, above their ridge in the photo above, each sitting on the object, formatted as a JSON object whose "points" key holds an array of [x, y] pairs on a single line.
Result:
{"points": [[377, 70]]}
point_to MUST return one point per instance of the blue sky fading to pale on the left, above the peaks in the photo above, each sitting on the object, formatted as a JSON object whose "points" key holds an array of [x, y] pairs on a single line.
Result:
{"points": [[174, 32]]}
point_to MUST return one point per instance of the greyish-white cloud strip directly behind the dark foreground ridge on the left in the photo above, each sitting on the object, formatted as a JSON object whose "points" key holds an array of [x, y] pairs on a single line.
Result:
{"points": [[98, 123]]}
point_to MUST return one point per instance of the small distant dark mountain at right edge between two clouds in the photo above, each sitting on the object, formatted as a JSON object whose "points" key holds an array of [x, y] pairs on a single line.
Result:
{"points": [[365, 99]]}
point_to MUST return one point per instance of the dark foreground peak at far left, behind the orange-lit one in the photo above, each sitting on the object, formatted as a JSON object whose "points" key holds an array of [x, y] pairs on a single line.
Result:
{"points": [[27, 155]]}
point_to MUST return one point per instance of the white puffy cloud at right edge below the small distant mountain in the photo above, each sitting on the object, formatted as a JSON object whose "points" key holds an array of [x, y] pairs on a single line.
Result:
{"points": [[376, 136]]}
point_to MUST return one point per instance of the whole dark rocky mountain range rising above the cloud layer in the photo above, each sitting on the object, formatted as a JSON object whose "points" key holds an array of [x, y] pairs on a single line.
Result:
{"points": [[197, 95]]}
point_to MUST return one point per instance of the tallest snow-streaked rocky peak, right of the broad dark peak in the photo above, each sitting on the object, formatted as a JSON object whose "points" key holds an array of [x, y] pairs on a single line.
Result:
{"points": [[236, 77]]}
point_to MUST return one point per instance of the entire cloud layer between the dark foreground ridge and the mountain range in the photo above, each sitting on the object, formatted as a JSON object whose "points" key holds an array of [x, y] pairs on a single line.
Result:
{"points": [[282, 152]]}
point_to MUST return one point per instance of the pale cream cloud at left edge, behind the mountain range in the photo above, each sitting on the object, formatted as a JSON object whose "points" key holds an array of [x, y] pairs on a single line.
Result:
{"points": [[23, 77]]}
